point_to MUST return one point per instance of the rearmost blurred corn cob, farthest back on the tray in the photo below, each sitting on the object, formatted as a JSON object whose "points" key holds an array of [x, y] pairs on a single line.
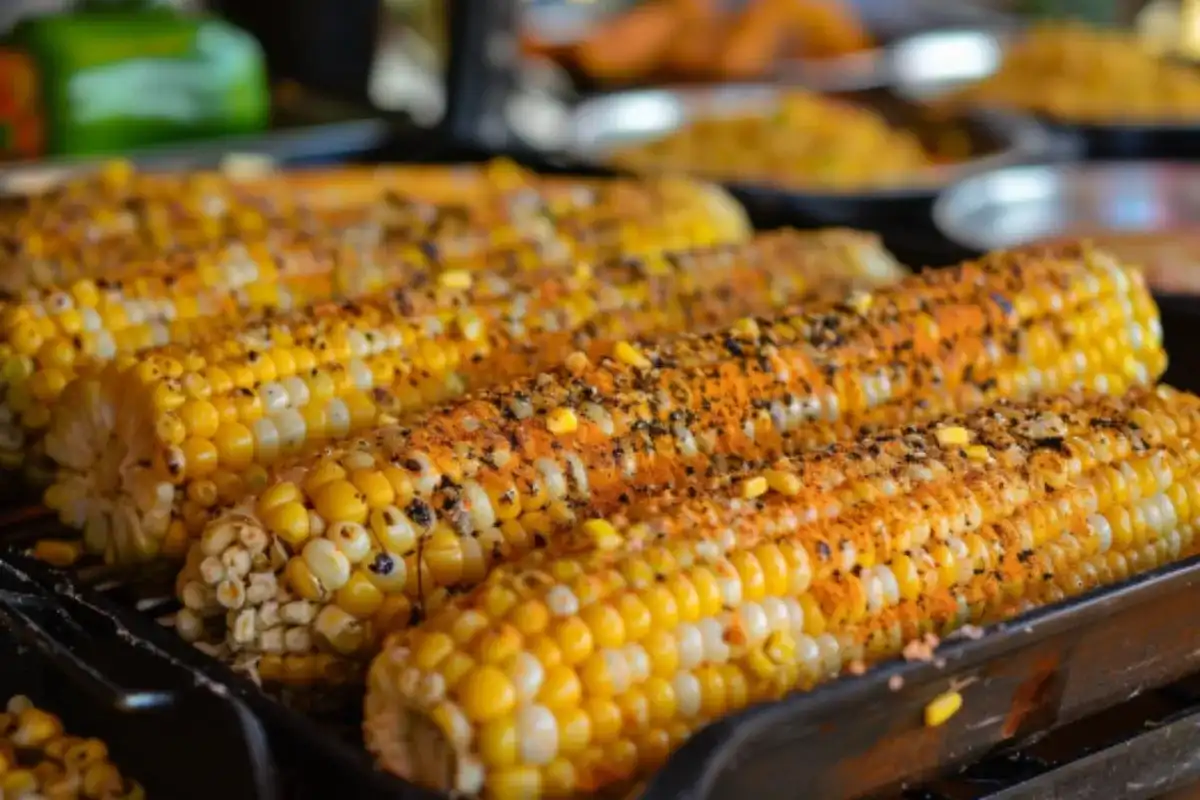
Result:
{"points": [[103, 222]]}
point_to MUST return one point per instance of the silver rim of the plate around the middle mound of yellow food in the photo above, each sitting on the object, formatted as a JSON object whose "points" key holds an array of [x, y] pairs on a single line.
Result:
{"points": [[611, 122]]}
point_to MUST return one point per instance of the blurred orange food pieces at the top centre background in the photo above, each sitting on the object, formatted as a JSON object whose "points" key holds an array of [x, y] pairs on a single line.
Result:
{"points": [[705, 40]]}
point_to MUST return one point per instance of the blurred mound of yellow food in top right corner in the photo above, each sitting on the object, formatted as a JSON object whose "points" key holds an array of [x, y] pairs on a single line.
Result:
{"points": [[1076, 74]]}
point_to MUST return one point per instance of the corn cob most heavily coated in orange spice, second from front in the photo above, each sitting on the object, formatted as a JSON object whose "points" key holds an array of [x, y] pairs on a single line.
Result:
{"points": [[364, 536]]}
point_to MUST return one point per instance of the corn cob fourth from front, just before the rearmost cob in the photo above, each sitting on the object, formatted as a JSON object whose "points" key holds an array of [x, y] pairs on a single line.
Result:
{"points": [[55, 335]]}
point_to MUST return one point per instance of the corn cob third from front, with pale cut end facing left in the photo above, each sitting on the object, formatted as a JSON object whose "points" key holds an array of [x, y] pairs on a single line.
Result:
{"points": [[201, 419]]}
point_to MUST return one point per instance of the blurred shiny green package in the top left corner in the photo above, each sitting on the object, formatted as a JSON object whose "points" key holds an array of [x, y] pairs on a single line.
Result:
{"points": [[110, 79]]}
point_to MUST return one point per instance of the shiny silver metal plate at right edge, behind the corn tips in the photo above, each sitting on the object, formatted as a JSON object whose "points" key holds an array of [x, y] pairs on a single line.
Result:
{"points": [[1021, 206]]}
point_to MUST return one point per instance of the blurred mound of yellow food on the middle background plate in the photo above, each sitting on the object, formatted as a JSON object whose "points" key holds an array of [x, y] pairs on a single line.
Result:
{"points": [[809, 142]]}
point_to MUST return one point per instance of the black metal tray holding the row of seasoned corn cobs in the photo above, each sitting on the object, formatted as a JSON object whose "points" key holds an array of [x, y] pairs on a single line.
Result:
{"points": [[856, 737]]}
